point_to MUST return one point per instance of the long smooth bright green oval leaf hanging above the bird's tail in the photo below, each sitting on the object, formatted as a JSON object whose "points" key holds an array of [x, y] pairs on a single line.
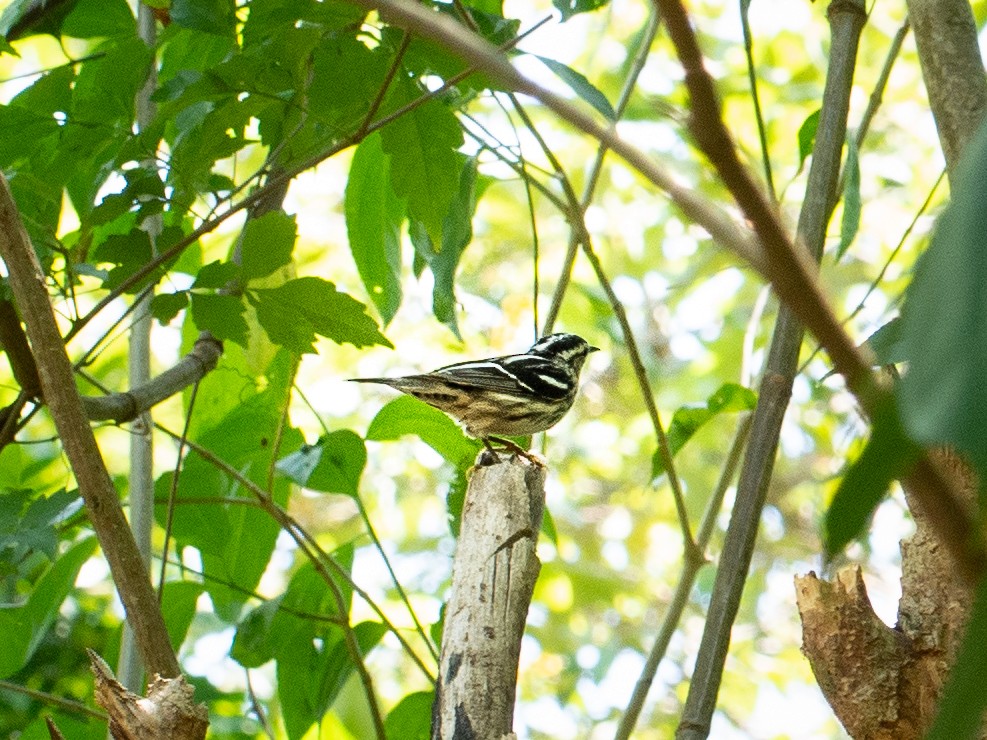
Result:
{"points": [[374, 215]]}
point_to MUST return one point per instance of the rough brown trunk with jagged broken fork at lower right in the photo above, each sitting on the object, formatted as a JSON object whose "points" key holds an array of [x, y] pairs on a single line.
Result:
{"points": [[884, 683]]}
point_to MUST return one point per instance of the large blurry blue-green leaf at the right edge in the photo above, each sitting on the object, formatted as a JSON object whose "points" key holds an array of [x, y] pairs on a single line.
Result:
{"points": [[944, 317]]}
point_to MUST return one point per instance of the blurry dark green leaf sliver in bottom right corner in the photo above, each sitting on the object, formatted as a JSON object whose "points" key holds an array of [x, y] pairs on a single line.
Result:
{"points": [[961, 708]]}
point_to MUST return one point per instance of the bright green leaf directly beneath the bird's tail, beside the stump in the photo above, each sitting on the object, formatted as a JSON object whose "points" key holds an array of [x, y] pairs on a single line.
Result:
{"points": [[408, 415]]}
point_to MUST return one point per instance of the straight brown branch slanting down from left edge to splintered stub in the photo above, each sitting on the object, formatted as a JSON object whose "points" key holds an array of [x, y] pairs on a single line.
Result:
{"points": [[58, 385]]}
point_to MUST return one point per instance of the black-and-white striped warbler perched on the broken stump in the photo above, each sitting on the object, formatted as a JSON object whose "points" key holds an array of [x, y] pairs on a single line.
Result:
{"points": [[514, 395]]}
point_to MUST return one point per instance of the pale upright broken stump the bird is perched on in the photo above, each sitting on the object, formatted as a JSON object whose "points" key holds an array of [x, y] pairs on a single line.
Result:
{"points": [[493, 577]]}
